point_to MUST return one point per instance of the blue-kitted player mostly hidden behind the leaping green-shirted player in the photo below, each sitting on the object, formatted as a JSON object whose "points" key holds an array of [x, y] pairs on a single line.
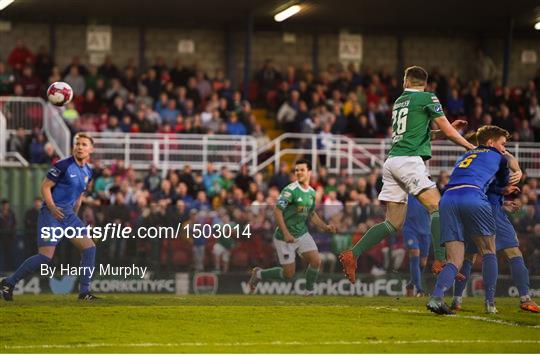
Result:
{"points": [[417, 237]]}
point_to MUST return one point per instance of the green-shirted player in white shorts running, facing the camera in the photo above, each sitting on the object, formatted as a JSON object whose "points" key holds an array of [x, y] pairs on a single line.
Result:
{"points": [[295, 207]]}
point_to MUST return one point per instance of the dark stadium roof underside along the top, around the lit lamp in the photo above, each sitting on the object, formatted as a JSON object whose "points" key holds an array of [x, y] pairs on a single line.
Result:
{"points": [[473, 16]]}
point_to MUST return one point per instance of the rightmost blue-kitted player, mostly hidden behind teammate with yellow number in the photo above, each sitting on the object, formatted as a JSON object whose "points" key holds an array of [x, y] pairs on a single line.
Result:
{"points": [[506, 243]]}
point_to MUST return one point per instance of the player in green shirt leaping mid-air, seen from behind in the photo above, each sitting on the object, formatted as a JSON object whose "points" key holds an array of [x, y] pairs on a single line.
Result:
{"points": [[404, 171]]}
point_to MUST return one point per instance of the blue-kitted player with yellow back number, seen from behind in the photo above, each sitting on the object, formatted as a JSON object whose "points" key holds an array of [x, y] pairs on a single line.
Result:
{"points": [[467, 216]]}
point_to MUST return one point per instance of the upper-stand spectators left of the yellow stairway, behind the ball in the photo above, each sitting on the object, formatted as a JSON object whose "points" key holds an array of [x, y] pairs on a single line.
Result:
{"points": [[164, 98]]}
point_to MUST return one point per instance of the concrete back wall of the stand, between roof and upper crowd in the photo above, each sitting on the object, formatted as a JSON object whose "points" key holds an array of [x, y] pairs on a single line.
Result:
{"points": [[379, 51]]}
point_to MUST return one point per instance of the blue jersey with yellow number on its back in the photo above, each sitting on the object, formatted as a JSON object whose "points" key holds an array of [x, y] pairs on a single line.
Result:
{"points": [[480, 167]]}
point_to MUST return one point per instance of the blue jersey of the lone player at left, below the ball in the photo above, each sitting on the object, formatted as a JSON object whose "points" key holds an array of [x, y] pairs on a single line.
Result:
{"points": [[71, 181]]}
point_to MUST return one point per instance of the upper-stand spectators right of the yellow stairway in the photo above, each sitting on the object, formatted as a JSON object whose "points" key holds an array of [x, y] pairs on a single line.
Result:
{"points": [[358, 103]]}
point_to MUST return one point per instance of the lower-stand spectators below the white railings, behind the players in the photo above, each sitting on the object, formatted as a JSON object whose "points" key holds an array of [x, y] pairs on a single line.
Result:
{"points": [[119, 195]]}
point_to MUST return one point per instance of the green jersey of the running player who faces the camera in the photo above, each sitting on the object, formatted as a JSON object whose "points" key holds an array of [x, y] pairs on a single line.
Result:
{"points": [[297, 204]]}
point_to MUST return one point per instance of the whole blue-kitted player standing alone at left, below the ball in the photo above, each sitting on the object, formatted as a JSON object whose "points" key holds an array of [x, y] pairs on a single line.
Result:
{"points": [[62, 192]]}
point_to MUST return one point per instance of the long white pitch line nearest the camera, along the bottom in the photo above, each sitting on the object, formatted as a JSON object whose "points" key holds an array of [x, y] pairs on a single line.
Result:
{"points": [[273, 343]]}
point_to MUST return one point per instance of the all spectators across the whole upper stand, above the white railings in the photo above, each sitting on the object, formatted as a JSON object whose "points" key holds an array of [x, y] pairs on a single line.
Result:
{"points": [[178, 98]]}
